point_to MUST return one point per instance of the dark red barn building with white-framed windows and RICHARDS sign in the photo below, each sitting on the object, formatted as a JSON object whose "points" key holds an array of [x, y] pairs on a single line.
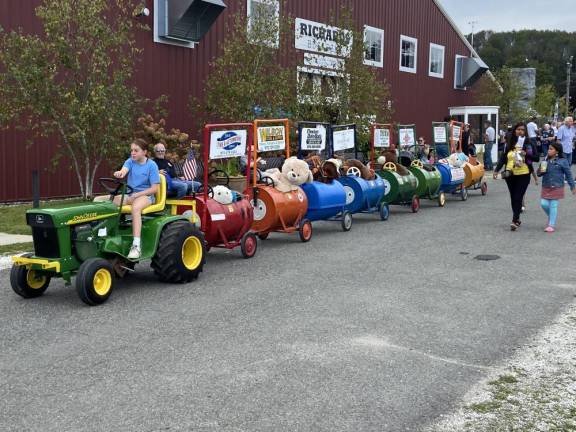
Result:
{"points": [[414, 45]]}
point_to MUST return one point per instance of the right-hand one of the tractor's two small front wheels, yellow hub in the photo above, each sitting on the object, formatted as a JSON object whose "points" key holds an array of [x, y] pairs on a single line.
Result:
{"points": [[95, 281]]}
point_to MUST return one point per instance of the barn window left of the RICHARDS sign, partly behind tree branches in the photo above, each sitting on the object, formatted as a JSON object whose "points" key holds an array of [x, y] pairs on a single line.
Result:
{"points": [[264, 22]]}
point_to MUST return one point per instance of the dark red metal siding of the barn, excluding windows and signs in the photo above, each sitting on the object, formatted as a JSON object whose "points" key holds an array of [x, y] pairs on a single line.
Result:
{"points": [[181, 72]]}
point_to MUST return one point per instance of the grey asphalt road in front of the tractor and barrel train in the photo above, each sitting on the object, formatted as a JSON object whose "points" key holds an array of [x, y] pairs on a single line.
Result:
{"points": [[383, 328]]}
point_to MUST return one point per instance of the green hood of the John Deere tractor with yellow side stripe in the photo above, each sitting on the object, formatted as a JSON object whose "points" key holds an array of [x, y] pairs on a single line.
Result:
{"points": [[70, 215]]}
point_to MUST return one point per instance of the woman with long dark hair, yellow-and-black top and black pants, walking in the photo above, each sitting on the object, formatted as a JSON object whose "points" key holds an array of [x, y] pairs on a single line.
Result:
{"points": [[516, 172]]}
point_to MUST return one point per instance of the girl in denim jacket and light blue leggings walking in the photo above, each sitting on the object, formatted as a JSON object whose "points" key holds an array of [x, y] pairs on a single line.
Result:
{"points": [[554, 170]]}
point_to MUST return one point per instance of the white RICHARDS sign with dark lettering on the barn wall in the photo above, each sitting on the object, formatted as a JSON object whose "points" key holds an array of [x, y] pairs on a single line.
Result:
{"points": [[318, 37]]}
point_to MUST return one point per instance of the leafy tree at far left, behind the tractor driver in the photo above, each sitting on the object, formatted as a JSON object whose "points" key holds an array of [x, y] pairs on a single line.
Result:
{"points": [[73, 80]]}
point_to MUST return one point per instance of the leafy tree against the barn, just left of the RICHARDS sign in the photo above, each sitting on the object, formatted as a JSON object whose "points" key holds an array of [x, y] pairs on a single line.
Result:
{"points": [[247, 79]]}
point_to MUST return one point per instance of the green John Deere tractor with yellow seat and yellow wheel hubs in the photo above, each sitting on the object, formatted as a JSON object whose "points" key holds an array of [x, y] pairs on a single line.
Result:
{"points": [[91, 241]]}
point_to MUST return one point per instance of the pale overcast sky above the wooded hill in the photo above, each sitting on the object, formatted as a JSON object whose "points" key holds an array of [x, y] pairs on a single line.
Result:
{"points": [[505, 15]]}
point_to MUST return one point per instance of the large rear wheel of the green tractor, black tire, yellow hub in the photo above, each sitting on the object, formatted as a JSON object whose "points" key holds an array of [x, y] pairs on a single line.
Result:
{"points": [[181, 253]]}
